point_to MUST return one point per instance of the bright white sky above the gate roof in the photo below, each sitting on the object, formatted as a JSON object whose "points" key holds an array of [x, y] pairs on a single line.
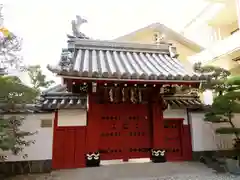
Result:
{"points": [[43, 25]]}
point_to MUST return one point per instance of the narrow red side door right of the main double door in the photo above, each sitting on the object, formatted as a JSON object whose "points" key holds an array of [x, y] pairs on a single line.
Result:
{"points": [[173, 139]]}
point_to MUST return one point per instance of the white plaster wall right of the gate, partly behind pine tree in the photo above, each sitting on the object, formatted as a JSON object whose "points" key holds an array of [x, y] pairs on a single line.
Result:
{"points": [[204, 137]]}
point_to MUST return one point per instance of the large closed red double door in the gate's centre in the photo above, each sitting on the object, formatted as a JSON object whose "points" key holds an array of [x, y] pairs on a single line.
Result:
{"points": [[125, 131]]}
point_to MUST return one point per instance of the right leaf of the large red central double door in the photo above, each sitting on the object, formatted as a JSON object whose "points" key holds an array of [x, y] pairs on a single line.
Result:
{"points": [[137, 132]]}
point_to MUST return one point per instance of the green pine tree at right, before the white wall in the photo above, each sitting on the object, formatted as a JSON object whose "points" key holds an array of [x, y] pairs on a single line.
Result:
{"points": [[226, 103]]}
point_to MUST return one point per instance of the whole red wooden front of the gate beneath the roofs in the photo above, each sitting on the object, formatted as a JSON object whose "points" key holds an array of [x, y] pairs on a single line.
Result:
{"points": [[71, 143]]}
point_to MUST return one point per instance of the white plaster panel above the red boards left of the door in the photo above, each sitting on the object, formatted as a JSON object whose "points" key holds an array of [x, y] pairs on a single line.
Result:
{"points": [[74, 117]]}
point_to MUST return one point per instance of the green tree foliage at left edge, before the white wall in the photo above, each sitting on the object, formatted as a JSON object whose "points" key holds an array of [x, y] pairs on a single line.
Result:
{"points": [[14, 96]]}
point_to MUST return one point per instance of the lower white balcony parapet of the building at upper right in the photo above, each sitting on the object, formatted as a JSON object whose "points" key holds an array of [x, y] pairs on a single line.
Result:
{"points": [[227, 46]]}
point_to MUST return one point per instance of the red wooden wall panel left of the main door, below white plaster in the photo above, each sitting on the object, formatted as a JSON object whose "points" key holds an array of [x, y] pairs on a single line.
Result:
{"points": [[68, 147]]}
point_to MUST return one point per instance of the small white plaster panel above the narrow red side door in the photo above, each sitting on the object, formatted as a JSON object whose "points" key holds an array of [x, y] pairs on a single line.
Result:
{"points": [[176, 113]]}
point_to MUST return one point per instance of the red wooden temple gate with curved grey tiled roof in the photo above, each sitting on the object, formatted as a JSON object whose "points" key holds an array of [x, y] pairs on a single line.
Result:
{"points": [[125, 88]]}
